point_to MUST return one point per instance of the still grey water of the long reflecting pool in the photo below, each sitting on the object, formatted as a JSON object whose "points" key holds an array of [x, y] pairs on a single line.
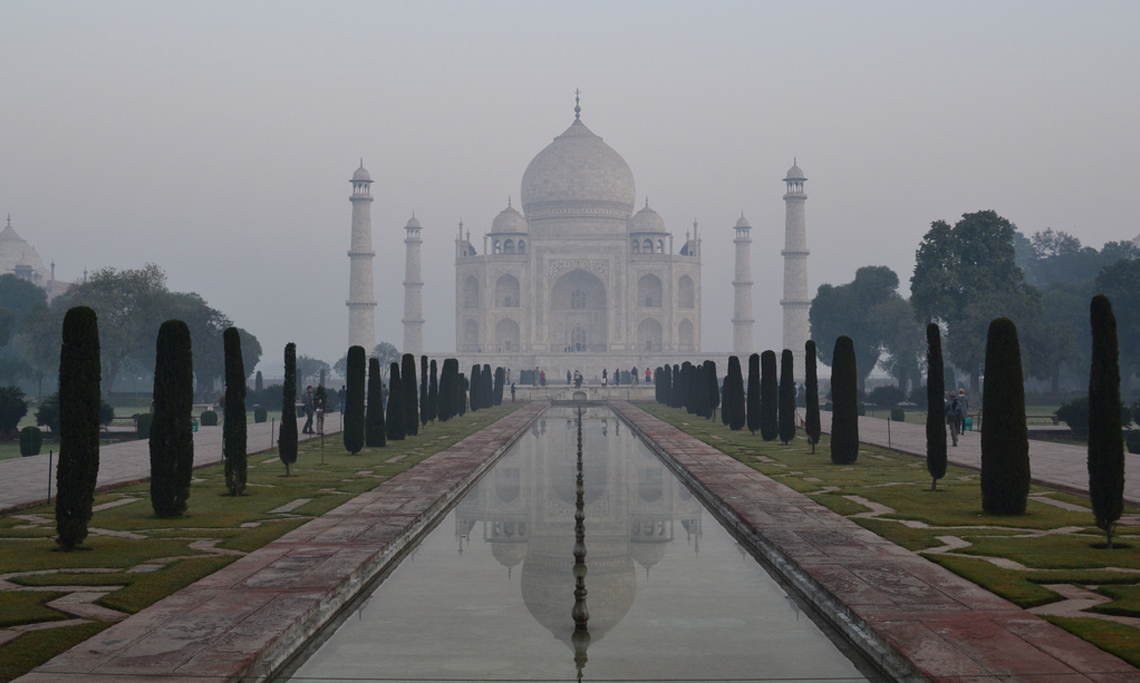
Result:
{"points": [[488, 595]]}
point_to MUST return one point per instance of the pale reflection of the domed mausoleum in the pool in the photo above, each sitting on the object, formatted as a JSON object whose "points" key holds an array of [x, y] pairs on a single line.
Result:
{"points": [[525, 510]]}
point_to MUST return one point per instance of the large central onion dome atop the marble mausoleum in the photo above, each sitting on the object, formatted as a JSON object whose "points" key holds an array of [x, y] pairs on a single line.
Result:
{"points": [[579, 174]]}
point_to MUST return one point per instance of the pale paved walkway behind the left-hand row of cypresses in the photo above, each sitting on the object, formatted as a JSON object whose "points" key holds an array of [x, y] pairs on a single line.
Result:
{"points": [[25, 481]]}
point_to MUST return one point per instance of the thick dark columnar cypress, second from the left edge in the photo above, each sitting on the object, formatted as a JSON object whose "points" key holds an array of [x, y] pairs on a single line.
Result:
{"points": [[172, 434]]}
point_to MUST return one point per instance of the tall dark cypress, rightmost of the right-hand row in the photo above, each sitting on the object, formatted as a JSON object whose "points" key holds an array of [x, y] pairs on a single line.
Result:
{"points": [[1106, 443]]}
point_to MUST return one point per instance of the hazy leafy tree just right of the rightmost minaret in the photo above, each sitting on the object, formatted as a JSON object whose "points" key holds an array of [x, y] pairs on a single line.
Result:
{"points": [[846, 311]]}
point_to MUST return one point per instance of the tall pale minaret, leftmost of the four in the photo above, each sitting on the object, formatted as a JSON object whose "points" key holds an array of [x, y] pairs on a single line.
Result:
{"points": [[362, 296]]}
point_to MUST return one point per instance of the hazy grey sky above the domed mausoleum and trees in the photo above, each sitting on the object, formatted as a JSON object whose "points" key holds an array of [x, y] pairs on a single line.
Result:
{"points": [[217, 140]]}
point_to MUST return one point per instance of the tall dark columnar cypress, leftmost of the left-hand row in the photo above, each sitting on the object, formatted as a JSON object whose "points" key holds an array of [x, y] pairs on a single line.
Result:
{"points": [[79, 426]]}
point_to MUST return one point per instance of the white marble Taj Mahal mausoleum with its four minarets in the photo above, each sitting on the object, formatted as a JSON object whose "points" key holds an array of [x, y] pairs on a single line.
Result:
{"points": [[581, 280]]}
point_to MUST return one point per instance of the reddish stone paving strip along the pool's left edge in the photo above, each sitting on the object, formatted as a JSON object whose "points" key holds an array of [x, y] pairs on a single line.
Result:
{"points": [[247, 620]]}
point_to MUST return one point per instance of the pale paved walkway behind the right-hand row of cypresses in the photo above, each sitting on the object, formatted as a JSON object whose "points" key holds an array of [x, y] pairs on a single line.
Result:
{"points": [[1052, 465]]}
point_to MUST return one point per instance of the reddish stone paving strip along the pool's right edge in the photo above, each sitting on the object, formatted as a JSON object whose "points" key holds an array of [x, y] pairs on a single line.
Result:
{"points": [[915, 619]]}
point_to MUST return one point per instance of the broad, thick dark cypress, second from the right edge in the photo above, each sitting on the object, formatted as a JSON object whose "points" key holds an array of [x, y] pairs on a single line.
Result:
{"points": [[1005, 441]]}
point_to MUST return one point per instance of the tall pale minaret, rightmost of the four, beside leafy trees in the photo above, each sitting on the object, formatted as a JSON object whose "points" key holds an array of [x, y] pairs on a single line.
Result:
{"points": [[796, 302]]}
